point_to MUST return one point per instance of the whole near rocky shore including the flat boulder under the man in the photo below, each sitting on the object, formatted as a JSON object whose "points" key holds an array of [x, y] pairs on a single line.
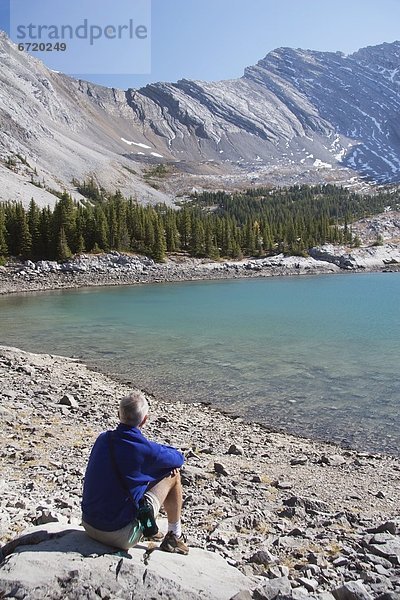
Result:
{"points": [[291, 517]]}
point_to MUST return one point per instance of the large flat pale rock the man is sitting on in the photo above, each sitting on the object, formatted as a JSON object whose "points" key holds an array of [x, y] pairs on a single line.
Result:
{"points": [[74, 566]]}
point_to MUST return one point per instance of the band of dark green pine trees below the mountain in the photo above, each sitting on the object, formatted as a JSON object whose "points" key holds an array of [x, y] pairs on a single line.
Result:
{"points": [[255, 223]]}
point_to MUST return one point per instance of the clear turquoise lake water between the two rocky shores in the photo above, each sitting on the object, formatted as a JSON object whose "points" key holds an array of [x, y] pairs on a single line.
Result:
{"points": [[317, 356]]}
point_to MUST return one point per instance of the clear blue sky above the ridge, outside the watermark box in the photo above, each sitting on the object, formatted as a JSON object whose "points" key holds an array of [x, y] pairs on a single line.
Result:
{"points": [[217, 39]]}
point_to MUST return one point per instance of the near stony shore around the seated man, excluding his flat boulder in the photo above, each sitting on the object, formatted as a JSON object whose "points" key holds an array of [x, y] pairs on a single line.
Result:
{"points": [[263, 500]]}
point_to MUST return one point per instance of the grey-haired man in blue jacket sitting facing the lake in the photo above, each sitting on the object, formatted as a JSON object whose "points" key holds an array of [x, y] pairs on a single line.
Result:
{"points": [[127, 474]]}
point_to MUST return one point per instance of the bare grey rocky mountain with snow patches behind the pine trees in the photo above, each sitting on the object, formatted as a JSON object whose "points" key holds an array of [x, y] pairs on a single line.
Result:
{"points": [[297, 116]]}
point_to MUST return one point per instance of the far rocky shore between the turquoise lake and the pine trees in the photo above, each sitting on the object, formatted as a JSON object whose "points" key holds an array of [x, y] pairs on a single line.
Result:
{"points": [[124, 269]]}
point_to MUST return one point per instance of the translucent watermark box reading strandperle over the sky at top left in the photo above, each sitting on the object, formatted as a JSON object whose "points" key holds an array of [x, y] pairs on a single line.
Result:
{"points": [[85, 37]]}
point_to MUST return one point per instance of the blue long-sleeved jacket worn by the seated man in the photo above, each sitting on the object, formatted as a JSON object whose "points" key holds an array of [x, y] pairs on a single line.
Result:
{"points": [[106, 505]]}
